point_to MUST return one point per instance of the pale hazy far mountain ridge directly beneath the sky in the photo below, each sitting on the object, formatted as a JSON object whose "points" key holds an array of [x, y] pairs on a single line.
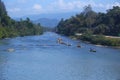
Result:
{"points": [[57, 16]]}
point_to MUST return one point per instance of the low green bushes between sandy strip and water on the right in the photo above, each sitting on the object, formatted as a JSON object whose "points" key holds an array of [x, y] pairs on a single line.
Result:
{"points": [[100, 40]]}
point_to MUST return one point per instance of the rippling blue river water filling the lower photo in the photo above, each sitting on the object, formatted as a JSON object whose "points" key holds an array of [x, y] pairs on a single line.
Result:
{"points": [[42, 58]]}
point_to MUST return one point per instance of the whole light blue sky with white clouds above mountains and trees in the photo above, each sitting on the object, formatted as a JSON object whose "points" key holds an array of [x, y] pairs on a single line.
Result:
{"points": [[18, 8]]}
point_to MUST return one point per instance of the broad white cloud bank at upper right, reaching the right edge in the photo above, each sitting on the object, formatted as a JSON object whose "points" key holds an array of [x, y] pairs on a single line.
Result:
{"points": [[64, 6]]}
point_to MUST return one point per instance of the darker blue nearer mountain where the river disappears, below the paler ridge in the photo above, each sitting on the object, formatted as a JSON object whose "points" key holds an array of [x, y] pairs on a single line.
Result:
{"points": [[46, 22]]}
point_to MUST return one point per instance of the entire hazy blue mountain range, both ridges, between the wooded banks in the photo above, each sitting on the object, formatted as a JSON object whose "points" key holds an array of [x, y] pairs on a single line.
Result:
{"points": [[49, 20]]}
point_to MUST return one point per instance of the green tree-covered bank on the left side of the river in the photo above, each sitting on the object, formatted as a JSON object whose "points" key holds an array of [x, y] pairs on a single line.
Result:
{"points": [[12, 28]]}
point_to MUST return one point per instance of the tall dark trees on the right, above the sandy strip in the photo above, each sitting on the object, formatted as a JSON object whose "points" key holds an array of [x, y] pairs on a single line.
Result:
{"points": [[89, 21]]}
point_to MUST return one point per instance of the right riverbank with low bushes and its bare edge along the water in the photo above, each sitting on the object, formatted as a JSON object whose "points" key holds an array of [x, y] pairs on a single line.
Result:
{"points": [[99, 40]]}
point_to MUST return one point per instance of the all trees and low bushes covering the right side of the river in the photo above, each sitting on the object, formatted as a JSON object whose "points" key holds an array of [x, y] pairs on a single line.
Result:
{"points": [[89, 23]]}
